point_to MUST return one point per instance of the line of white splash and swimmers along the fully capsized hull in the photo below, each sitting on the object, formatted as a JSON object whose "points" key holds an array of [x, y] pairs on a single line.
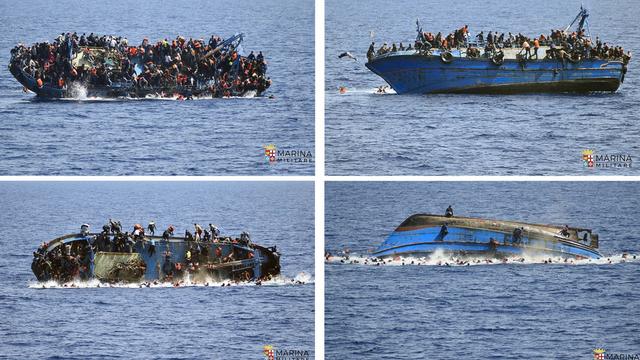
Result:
{"points": [[439, 258]]}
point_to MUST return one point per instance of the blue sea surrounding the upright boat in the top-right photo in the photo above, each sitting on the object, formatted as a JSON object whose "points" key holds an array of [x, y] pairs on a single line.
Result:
{"points": [[369, 134]]}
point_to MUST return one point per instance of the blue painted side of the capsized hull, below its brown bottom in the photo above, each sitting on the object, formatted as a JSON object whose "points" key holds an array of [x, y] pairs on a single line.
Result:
{"points": [[465, 241]]}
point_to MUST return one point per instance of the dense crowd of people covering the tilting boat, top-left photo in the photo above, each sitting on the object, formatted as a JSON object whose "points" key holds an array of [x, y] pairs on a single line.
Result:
{"points": [[167, 67]]}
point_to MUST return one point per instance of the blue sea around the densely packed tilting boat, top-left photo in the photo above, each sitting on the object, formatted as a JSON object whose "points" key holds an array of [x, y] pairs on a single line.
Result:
{"points": [[159, 137]]}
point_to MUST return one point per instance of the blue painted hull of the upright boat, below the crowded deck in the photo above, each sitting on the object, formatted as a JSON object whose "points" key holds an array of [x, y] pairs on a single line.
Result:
{"points": [[410, 73]]}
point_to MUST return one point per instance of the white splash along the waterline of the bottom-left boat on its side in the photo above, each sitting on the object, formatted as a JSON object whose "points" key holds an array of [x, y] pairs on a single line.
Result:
{"points": [[301, 278]]}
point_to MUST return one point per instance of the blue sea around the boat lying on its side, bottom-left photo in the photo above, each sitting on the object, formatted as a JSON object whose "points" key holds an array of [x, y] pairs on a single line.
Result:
{"points": [[143, 323]]}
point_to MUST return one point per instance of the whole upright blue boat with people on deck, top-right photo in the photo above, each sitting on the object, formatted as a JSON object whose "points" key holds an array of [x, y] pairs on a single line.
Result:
{"points": [[494, 68]]}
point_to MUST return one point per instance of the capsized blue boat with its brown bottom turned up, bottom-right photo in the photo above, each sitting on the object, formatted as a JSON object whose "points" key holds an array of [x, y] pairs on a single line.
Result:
{"points": [[423, 234]]}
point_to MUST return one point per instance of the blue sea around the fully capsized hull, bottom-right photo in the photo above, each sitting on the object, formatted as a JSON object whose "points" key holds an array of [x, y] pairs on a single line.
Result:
{"points": [[499, 311]]}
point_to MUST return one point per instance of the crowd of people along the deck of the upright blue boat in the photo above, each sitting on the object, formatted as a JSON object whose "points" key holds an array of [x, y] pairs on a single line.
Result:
{"points": [[561, 45]]}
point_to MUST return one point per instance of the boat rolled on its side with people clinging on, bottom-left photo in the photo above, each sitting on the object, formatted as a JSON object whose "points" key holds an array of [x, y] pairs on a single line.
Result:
{"points": [[120, 257]]}
